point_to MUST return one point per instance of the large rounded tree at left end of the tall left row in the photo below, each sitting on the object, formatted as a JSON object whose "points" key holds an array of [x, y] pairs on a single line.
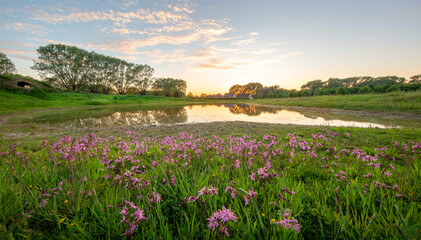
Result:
{"points": [[66, 66]]}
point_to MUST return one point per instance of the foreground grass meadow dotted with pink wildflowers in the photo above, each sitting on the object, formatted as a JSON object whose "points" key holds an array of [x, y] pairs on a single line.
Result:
{"points": [[342, 183]]}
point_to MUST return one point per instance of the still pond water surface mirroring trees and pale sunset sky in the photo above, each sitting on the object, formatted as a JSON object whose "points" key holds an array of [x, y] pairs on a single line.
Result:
{"points": [[212, 113]]}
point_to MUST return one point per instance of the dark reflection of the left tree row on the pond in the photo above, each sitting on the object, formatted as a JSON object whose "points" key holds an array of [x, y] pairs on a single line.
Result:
{"points": [[166, 116]]}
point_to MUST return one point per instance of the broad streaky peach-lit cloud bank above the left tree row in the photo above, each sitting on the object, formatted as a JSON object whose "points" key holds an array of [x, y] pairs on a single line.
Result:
{"points": [[176, 34]]}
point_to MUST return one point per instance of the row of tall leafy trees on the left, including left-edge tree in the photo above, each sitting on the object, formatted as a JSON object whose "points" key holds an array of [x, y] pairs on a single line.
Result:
{"points": [[75, 69]]}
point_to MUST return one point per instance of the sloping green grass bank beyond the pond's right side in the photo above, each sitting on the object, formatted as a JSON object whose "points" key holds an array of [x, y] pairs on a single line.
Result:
{"points": [[409, 102]]}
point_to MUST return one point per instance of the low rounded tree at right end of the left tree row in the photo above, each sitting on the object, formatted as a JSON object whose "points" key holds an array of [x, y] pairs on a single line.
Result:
{"points": [[170, 87]]}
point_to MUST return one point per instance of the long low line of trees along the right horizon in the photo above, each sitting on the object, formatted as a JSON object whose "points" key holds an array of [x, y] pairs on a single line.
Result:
{"points": [[333, 86]]}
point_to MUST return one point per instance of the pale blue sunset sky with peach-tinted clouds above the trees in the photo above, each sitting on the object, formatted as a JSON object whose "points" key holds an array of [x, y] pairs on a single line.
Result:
{"points": [[214, 44]]}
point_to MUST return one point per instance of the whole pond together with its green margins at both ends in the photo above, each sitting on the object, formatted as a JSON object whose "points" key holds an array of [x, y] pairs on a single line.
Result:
{"points": [[130, 116]]}
